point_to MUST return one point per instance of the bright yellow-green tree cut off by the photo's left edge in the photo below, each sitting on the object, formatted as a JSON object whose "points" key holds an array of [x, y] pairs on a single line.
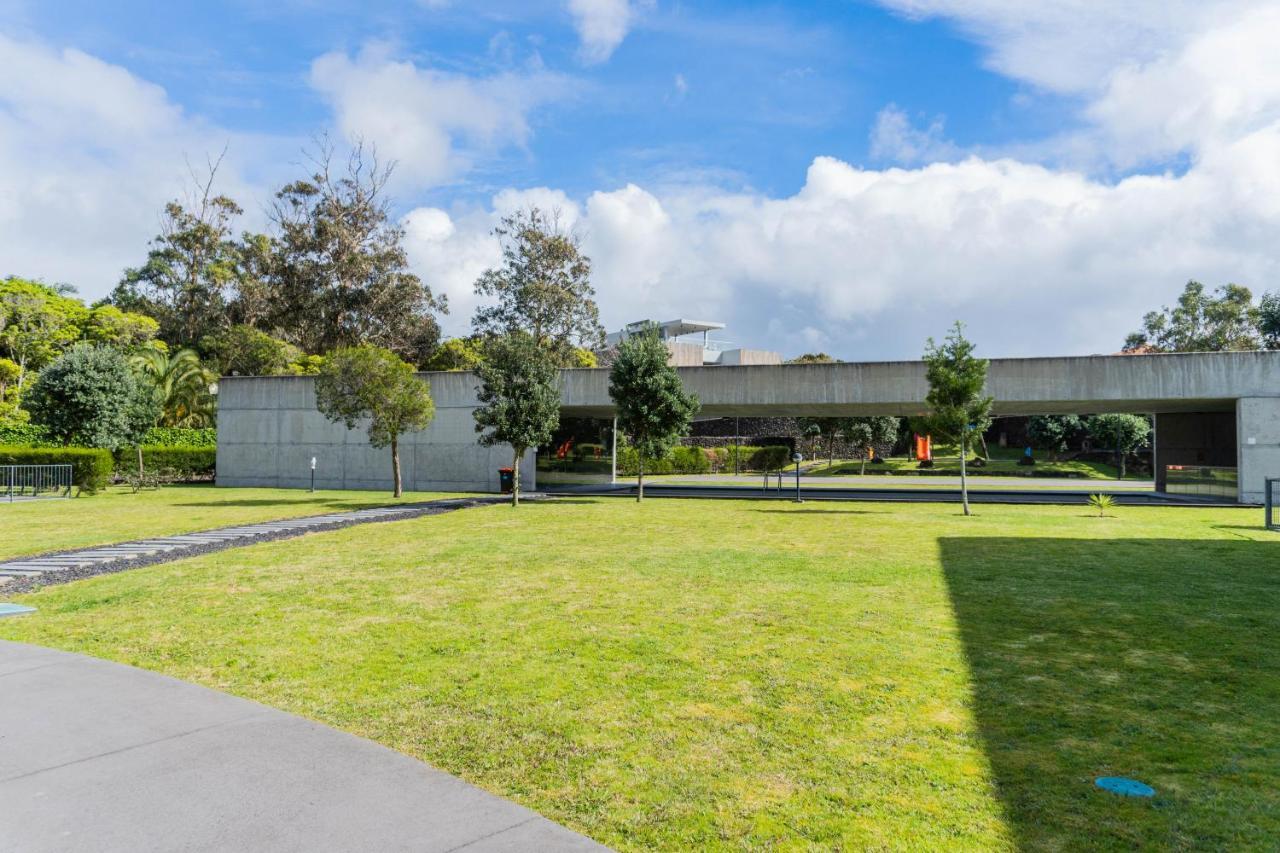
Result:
{"points": [[38, 323]]}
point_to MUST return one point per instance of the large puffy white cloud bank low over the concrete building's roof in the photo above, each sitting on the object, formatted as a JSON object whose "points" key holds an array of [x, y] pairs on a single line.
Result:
{"points": [[871, 262]]}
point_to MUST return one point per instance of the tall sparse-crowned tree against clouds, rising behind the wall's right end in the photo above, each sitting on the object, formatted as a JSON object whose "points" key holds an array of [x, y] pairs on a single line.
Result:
{"points": [[543, 288]]}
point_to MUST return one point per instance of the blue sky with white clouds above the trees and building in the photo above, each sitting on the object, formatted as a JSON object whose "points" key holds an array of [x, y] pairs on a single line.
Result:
{"points": [[844, 177]]}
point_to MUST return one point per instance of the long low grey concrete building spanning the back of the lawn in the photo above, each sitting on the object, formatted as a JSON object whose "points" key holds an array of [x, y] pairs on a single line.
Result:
{"points": [[1210, 409]]}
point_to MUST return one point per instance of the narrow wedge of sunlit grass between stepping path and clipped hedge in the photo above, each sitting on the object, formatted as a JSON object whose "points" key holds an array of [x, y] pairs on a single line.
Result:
{"points": [[117, 514]]}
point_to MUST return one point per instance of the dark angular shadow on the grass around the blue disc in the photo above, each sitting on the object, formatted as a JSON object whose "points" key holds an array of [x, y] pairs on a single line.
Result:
{"points": [[1153, 659]]}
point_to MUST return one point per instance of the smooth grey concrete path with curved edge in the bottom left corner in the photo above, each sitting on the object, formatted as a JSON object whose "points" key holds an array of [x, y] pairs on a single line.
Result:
{"points": [[97, 756]]}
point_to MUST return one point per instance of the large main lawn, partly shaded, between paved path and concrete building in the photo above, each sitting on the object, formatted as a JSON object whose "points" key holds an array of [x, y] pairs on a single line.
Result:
{"points": [[706, 674]]}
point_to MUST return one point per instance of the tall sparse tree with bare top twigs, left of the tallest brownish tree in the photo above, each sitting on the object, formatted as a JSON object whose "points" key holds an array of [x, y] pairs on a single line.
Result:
{"points": [[193, 268]]}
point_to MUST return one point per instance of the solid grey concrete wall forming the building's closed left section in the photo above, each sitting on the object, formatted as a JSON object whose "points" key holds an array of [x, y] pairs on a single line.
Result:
{"points": [[269, 430]]}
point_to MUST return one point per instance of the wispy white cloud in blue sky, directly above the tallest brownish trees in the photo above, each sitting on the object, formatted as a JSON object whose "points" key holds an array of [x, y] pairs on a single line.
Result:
{"points": [[435, 125]]}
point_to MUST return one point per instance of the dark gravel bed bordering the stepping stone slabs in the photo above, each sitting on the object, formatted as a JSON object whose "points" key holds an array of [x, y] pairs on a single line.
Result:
{"points": [[19, 586]]}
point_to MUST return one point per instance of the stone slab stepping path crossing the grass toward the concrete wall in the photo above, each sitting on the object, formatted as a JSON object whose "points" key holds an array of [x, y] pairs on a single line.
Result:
{"points": [[56, 568]]}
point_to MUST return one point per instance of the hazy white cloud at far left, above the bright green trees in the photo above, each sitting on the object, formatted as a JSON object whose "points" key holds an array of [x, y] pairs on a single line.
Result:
{"points": [[89, 157]]}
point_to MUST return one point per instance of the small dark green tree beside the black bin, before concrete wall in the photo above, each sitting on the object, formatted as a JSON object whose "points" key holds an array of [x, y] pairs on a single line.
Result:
{"points": [[519, 398]]}
